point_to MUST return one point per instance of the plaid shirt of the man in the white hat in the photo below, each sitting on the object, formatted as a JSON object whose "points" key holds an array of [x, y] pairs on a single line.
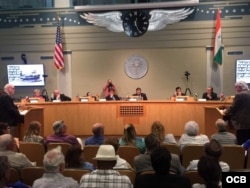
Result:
{"points": [[105, 179]]}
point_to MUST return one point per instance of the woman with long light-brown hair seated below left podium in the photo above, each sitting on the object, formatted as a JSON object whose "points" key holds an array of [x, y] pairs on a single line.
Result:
{"points": [[33, 133]]}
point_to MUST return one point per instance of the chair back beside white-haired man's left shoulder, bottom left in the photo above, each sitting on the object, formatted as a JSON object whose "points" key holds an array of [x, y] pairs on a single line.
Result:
{"points": [[30, 174]]}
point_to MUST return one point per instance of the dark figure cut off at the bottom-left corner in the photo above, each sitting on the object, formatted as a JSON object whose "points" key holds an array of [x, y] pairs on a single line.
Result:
{"points": [[5, 175]]}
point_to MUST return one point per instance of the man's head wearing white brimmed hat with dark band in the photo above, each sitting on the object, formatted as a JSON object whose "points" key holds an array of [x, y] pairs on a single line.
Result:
{"points": [[105, 156]]}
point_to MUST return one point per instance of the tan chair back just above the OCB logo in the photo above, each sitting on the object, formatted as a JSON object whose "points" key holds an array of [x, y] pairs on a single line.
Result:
{"points": [[234, 156]]}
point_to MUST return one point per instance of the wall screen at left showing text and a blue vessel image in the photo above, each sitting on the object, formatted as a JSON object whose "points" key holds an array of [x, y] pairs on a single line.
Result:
{"points": [[26, 74]]}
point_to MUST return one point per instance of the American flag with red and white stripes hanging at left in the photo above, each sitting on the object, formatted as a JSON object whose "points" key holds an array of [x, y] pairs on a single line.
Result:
{"points": [[58, 54]]}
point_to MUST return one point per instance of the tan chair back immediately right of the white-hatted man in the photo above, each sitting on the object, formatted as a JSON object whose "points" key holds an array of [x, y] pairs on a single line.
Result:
{"points": [[128, 153]]}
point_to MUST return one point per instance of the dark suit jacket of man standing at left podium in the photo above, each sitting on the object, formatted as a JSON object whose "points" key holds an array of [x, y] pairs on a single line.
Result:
{"points": [[8, 110]]}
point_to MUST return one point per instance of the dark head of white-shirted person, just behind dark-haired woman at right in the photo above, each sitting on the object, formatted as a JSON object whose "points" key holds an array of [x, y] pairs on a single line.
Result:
{"points": [[213, 149]]}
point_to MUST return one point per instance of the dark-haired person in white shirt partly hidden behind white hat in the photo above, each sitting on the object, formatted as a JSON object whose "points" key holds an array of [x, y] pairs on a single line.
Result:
{"points": [[120, 163]]}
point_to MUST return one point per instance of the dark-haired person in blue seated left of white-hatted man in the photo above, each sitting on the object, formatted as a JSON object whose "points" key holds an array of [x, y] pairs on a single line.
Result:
{"points": [[74, 158]]}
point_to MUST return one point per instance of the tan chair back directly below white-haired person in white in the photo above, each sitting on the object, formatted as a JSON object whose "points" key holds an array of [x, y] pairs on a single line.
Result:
{"points": [[191, 152]]}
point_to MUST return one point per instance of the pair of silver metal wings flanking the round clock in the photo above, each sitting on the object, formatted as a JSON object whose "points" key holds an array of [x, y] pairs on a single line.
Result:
{"points": [[159, 19]]}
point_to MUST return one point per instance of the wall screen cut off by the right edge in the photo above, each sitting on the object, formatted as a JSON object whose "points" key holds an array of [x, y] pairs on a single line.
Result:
{"points": [[243, 70]]}
